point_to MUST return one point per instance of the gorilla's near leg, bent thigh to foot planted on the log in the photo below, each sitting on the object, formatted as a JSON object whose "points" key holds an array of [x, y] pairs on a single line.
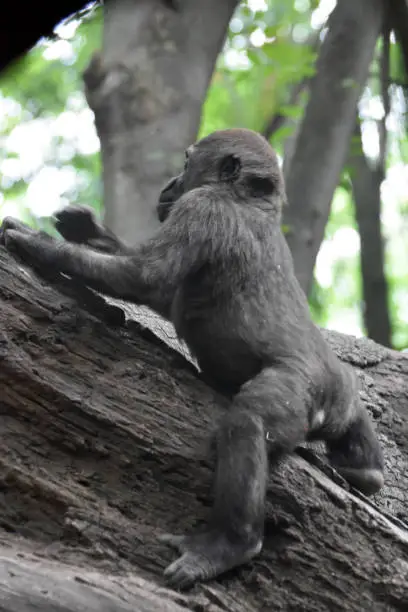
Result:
{"points": [[266, 417]]}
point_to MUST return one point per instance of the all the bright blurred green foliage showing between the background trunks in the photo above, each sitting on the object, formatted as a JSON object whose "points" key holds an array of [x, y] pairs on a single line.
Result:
{"points": [[49, 153]]}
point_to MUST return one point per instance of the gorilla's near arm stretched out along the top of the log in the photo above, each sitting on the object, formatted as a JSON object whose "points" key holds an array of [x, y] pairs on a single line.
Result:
{"points": [[149, 274]]}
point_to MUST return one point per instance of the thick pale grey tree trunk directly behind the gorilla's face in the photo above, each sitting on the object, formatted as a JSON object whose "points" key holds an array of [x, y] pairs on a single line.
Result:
{"points": [[147, 89]]}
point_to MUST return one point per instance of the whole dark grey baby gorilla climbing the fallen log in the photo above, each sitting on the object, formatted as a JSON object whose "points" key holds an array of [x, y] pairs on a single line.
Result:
{"points": [[220, 270]]}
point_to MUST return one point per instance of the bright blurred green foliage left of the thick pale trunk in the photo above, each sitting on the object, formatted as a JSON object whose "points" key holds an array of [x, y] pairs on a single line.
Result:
{"points": [[48, 145]]}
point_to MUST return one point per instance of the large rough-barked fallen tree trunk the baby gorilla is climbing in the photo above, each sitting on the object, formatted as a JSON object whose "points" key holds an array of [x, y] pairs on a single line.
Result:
{"points": [[104, 444]]}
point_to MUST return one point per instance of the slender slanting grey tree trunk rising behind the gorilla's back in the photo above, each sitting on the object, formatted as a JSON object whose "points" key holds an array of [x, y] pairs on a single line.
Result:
{"points": [[323, 139]]}
